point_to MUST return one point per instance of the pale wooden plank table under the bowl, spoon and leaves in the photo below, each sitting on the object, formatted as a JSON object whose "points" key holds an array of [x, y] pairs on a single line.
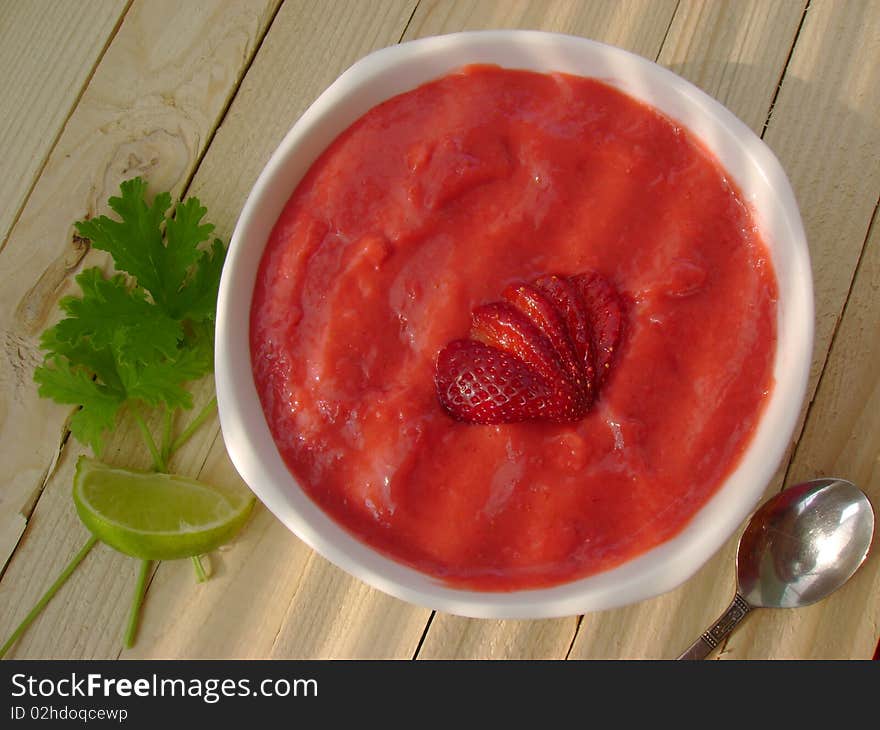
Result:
{"points": [[195, 96]]}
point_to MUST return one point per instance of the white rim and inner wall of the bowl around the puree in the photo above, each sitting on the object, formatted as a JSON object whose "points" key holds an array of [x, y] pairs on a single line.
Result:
{"points": [[650, 574]]}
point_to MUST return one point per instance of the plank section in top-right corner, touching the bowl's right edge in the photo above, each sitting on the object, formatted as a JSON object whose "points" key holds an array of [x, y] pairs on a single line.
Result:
{"points": [[823, 128]]}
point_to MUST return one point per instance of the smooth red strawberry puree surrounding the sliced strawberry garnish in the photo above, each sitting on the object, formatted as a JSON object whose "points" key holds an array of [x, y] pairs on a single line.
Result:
{"points": [[428, 207]]}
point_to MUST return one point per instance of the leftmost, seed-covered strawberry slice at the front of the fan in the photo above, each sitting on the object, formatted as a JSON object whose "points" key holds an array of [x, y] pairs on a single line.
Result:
{"points": [[478, 383]]}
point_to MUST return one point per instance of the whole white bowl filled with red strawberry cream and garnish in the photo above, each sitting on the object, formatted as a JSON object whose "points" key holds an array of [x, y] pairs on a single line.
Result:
{"points": [[514, 324]]}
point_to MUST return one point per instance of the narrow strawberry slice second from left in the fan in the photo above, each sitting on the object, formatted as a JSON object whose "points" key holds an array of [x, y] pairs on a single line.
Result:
{"points": [[503, 326]]}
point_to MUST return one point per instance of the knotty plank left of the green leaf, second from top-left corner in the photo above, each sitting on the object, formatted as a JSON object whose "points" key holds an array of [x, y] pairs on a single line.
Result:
{"points": [[150, 109]]}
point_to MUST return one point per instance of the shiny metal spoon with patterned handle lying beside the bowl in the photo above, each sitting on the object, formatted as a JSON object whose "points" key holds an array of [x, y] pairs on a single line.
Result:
{"points": [[799, 547]]}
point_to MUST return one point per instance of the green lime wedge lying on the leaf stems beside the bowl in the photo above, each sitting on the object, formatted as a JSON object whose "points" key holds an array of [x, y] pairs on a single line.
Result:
{"points": [[156, 516]]}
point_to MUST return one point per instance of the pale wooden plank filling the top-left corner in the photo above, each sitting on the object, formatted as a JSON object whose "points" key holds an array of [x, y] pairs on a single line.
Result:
{"points": [[48, 49]]}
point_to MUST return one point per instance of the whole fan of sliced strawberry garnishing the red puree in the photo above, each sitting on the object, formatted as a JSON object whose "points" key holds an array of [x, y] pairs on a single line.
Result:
{"points": [[541, 354]]}
